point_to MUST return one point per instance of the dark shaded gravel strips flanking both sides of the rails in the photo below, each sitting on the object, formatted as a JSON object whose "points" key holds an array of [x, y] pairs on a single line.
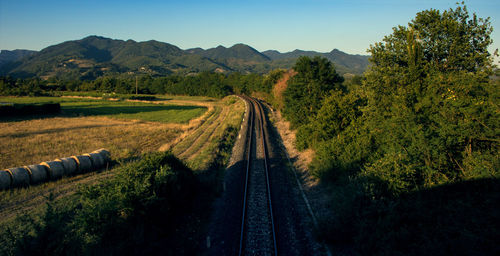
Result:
{"points": [[293, 228]]}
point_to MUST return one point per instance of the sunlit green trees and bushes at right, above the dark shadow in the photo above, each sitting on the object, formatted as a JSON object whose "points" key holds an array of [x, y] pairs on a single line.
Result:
{"points": [[430, 111]]}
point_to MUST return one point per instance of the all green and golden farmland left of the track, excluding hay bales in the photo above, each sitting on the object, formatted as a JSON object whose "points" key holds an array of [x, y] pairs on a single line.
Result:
{"points": [[126, 128]]}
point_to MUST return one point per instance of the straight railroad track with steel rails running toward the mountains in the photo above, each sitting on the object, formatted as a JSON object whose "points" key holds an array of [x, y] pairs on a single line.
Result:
{"points": [[258, 233]]}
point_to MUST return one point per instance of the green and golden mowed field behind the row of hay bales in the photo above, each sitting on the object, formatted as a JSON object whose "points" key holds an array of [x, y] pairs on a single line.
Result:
{"points": [[127, 129]]}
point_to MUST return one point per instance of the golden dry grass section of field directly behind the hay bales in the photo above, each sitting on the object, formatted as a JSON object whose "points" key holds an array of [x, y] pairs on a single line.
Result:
{"points": [[35, 141]]}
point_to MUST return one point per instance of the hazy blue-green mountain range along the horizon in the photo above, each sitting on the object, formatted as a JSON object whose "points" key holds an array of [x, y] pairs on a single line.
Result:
{"points": [[95, 56]]}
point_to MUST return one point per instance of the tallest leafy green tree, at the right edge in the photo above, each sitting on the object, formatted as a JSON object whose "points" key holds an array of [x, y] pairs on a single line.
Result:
{"points": [[430, 101]]}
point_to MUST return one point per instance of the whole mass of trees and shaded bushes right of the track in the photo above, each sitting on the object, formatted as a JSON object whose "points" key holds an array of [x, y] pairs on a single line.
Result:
{"points": [[425, 116]]}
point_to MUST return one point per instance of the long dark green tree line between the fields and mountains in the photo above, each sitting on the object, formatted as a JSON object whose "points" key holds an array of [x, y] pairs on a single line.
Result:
{"points": [[204, 84]]}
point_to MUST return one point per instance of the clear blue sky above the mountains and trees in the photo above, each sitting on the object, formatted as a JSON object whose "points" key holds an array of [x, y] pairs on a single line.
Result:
{"points": [[320, 25]]}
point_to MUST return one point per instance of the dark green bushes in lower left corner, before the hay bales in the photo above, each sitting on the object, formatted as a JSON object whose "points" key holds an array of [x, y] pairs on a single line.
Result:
{"points": [[136, 212]]}
